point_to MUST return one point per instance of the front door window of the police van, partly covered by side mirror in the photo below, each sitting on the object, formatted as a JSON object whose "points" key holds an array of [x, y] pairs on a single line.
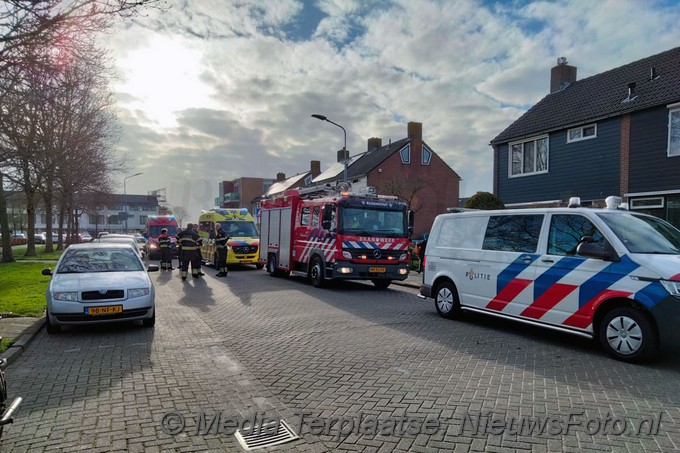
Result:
{"points": [[565, 232]]}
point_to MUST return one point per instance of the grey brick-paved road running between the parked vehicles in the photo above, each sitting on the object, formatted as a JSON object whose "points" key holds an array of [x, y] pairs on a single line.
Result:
{"points": [[251, 343]]}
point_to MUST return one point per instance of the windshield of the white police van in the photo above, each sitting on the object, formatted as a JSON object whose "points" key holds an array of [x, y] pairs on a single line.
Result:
{"points": [[643, 233]]}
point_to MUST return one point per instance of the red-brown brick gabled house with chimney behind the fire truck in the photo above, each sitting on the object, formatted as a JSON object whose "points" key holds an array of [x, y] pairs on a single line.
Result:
{"points": [[408, 168]]}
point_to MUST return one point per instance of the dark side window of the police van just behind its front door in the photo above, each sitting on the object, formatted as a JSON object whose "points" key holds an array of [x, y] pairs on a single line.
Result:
{"points": [[513, 233]]}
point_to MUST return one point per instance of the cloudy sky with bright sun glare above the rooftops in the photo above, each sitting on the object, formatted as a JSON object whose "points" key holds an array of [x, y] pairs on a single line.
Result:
{"points": [[213, 90]]}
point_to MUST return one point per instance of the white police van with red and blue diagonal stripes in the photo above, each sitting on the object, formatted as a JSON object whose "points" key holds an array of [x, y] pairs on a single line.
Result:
{"points": [[608, 274]]}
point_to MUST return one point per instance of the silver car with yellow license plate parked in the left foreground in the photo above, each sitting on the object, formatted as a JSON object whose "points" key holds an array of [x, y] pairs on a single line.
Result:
{"points": [[98, 283]]}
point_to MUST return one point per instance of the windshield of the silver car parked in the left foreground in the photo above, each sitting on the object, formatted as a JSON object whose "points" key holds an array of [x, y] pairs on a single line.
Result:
{"points": [[99, 260]]}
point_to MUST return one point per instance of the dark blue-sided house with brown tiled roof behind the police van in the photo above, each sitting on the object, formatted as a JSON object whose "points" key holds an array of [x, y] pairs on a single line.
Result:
{"points": [[615, 133]]}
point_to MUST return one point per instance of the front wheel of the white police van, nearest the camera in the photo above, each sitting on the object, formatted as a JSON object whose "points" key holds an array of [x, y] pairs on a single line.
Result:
{"points": [[628, 334]]}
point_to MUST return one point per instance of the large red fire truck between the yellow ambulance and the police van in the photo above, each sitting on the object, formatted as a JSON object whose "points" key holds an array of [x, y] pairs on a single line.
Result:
{"points": [[325, 235]]}
